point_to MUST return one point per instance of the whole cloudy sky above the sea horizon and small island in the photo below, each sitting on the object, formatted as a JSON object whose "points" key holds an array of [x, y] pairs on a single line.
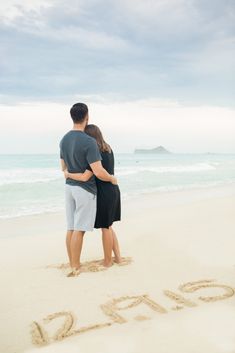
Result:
{"points": [[153, 72]]}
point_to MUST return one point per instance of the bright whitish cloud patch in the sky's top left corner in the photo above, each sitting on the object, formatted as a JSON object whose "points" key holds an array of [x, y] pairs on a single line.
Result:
{"points": [[40, 18]]}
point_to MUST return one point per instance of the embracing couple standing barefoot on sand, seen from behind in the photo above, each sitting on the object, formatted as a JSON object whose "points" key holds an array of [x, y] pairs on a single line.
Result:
{"points": [[92, 196]]}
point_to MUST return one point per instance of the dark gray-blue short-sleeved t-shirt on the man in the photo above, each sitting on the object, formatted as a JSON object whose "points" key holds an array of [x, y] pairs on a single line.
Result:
{"points": [[79, 150]]}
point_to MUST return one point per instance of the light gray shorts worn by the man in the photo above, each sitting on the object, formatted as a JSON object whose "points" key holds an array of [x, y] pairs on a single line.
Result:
{"points": [[80, 208]]}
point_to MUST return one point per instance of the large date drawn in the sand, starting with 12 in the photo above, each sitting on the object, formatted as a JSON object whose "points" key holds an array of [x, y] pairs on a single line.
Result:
{"points": [[115, 308]]}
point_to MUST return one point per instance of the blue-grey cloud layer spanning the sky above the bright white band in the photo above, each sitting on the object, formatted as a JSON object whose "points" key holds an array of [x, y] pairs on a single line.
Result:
{"points": [[166, 48]]}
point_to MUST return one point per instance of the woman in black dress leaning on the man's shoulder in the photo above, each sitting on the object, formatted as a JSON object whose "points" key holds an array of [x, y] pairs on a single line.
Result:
{"points": [[108, 198]]}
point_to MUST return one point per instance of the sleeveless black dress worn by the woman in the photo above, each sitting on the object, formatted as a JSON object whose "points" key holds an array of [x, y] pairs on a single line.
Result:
{"points": [[108, 196]]}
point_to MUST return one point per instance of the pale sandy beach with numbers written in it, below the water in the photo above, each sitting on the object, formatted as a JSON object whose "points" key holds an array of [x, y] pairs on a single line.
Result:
{"points": [[177, 295]]}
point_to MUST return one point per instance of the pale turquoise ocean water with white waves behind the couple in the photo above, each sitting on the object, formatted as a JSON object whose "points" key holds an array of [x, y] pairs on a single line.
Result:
{"points": [[33, 184]]}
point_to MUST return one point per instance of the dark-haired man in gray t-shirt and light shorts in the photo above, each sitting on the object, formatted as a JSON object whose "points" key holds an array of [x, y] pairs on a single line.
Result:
{"points": [[78, 151]]}
